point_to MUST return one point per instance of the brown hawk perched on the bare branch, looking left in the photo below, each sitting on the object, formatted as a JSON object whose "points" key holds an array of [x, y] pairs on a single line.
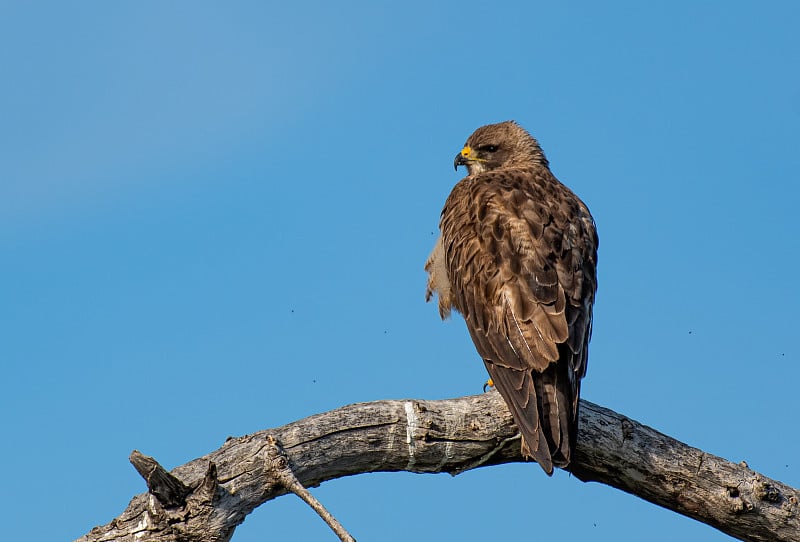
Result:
{"points": [[517, 258]]}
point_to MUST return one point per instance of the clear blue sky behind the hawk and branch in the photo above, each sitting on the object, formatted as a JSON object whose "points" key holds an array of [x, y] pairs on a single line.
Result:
{"points": [[214, 217]]}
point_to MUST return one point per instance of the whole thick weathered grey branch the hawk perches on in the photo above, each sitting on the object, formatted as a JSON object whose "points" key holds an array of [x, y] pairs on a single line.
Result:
{"points": [[451, 436]]}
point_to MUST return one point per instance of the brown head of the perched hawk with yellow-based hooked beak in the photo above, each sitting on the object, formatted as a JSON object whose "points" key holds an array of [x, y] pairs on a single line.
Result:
{"points": [[505, 144]]}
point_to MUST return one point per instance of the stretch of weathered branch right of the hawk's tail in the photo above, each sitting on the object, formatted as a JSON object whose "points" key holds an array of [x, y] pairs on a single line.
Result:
{"points": [[625, 454]]}
